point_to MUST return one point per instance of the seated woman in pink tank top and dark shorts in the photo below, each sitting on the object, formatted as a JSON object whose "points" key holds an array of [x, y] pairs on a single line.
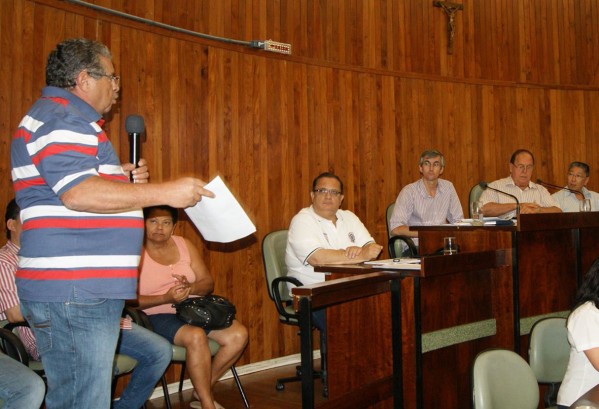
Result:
{"points": [[172, 270]]}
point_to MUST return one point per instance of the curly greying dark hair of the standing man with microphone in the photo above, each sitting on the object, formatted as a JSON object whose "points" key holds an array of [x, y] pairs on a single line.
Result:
{"points": [[73, 56]]}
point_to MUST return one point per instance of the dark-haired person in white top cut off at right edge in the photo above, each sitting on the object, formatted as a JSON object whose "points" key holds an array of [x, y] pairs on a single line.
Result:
{"points": [[583, 334]]}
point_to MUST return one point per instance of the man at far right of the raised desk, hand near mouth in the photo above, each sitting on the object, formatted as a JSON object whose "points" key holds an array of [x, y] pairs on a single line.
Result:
{"points": [[578, 177]]}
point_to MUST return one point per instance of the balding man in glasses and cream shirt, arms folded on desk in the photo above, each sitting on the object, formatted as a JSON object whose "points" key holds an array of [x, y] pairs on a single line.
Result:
{"points": [[533, 197]]}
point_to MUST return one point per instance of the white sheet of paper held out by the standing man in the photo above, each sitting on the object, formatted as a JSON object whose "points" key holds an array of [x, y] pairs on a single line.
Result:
{"points": [[221, 218]]}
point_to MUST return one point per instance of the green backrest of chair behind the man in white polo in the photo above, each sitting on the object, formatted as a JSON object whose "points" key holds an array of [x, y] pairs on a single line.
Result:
{"points": [[273, 255]]}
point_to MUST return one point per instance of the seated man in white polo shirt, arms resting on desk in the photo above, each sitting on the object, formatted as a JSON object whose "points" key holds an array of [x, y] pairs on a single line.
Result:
{"points": [[325, 234]]}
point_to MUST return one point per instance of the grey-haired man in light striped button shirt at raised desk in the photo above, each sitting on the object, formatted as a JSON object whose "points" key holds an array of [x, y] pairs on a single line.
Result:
{"points": [[428, 201]]}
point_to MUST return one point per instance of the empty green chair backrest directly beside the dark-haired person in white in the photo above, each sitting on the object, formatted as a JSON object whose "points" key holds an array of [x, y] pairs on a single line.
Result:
{"points": [[549, 349]]}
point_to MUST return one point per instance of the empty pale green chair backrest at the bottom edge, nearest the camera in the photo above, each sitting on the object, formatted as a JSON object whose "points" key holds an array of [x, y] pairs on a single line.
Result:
{"points": [[502, 379]]}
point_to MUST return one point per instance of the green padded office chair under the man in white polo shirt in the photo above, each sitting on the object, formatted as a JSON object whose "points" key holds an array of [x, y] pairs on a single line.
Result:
{"points": [[273, 256]]}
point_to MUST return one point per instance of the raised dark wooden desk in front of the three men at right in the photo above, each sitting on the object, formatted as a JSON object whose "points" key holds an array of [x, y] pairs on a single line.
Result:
{"points": [[550, 253]]}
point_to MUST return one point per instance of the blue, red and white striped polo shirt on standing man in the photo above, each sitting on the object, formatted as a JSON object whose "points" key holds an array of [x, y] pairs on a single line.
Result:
{"points": [[59, 144]]}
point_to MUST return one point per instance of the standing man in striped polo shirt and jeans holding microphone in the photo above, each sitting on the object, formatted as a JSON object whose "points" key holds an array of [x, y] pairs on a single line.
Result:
{"points": [[82, 223]]}
